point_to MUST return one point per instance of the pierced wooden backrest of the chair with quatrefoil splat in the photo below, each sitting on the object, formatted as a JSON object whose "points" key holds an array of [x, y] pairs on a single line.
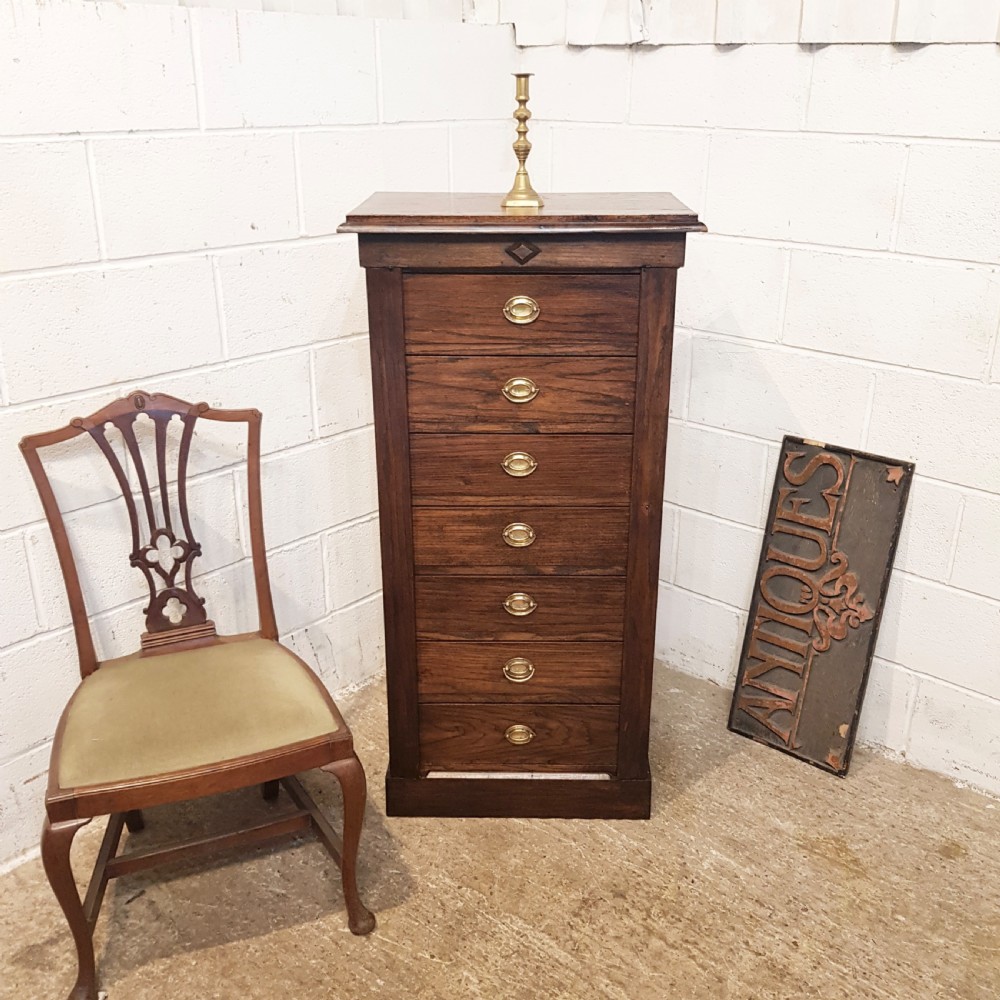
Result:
{"points": [[163, 545]]}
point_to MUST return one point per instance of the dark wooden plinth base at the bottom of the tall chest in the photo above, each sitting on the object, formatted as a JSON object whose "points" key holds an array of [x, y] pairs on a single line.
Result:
{"points": [[562, 798]]}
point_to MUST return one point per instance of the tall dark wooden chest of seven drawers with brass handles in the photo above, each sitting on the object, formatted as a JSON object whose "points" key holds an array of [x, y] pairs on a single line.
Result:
{"points": [[521, 374]]}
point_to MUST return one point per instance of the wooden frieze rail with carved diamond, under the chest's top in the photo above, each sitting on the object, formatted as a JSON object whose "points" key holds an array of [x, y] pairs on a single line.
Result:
{"points": [[499, 251]]}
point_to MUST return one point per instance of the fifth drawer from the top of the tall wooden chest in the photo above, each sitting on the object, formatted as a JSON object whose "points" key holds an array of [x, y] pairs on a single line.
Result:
{"points": [[473, 608]]}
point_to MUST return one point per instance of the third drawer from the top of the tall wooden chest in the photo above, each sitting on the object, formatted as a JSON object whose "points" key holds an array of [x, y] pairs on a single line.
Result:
{"points": [[576, 469]]}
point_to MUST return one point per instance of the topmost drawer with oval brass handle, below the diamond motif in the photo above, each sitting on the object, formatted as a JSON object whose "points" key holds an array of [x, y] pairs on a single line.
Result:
{"points": [[463, 314]]}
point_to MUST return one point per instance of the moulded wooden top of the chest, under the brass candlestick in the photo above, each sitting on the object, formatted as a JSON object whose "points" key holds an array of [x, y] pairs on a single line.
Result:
{"points": [[433, 212]]}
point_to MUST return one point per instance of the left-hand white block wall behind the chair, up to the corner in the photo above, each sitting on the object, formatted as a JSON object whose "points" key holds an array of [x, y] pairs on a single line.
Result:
{"points": [[172, 180]]}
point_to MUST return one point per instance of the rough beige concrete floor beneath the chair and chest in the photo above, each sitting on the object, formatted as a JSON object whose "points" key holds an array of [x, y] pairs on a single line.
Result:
{"points": [[757, 878]]}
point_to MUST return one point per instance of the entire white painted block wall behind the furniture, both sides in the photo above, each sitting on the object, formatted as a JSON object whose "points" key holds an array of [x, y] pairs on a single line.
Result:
{"points": [[170, 201]]}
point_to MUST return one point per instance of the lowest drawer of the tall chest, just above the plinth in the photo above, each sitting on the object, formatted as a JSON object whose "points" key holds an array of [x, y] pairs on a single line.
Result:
{"points": [[471, 738]]}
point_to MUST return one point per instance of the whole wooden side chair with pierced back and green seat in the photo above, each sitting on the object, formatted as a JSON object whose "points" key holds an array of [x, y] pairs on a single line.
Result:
{"points": [[190, 713]]}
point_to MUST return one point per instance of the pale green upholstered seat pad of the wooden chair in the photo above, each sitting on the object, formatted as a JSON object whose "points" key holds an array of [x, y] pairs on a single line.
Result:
{"points": [[136, 717]]}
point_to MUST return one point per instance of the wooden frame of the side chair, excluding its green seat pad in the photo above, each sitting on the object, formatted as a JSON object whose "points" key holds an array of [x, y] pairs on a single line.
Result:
{"points": [[159, 522]]}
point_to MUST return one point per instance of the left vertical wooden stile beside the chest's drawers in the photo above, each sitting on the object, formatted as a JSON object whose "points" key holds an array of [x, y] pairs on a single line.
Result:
{"points": [[385, 321]]}
